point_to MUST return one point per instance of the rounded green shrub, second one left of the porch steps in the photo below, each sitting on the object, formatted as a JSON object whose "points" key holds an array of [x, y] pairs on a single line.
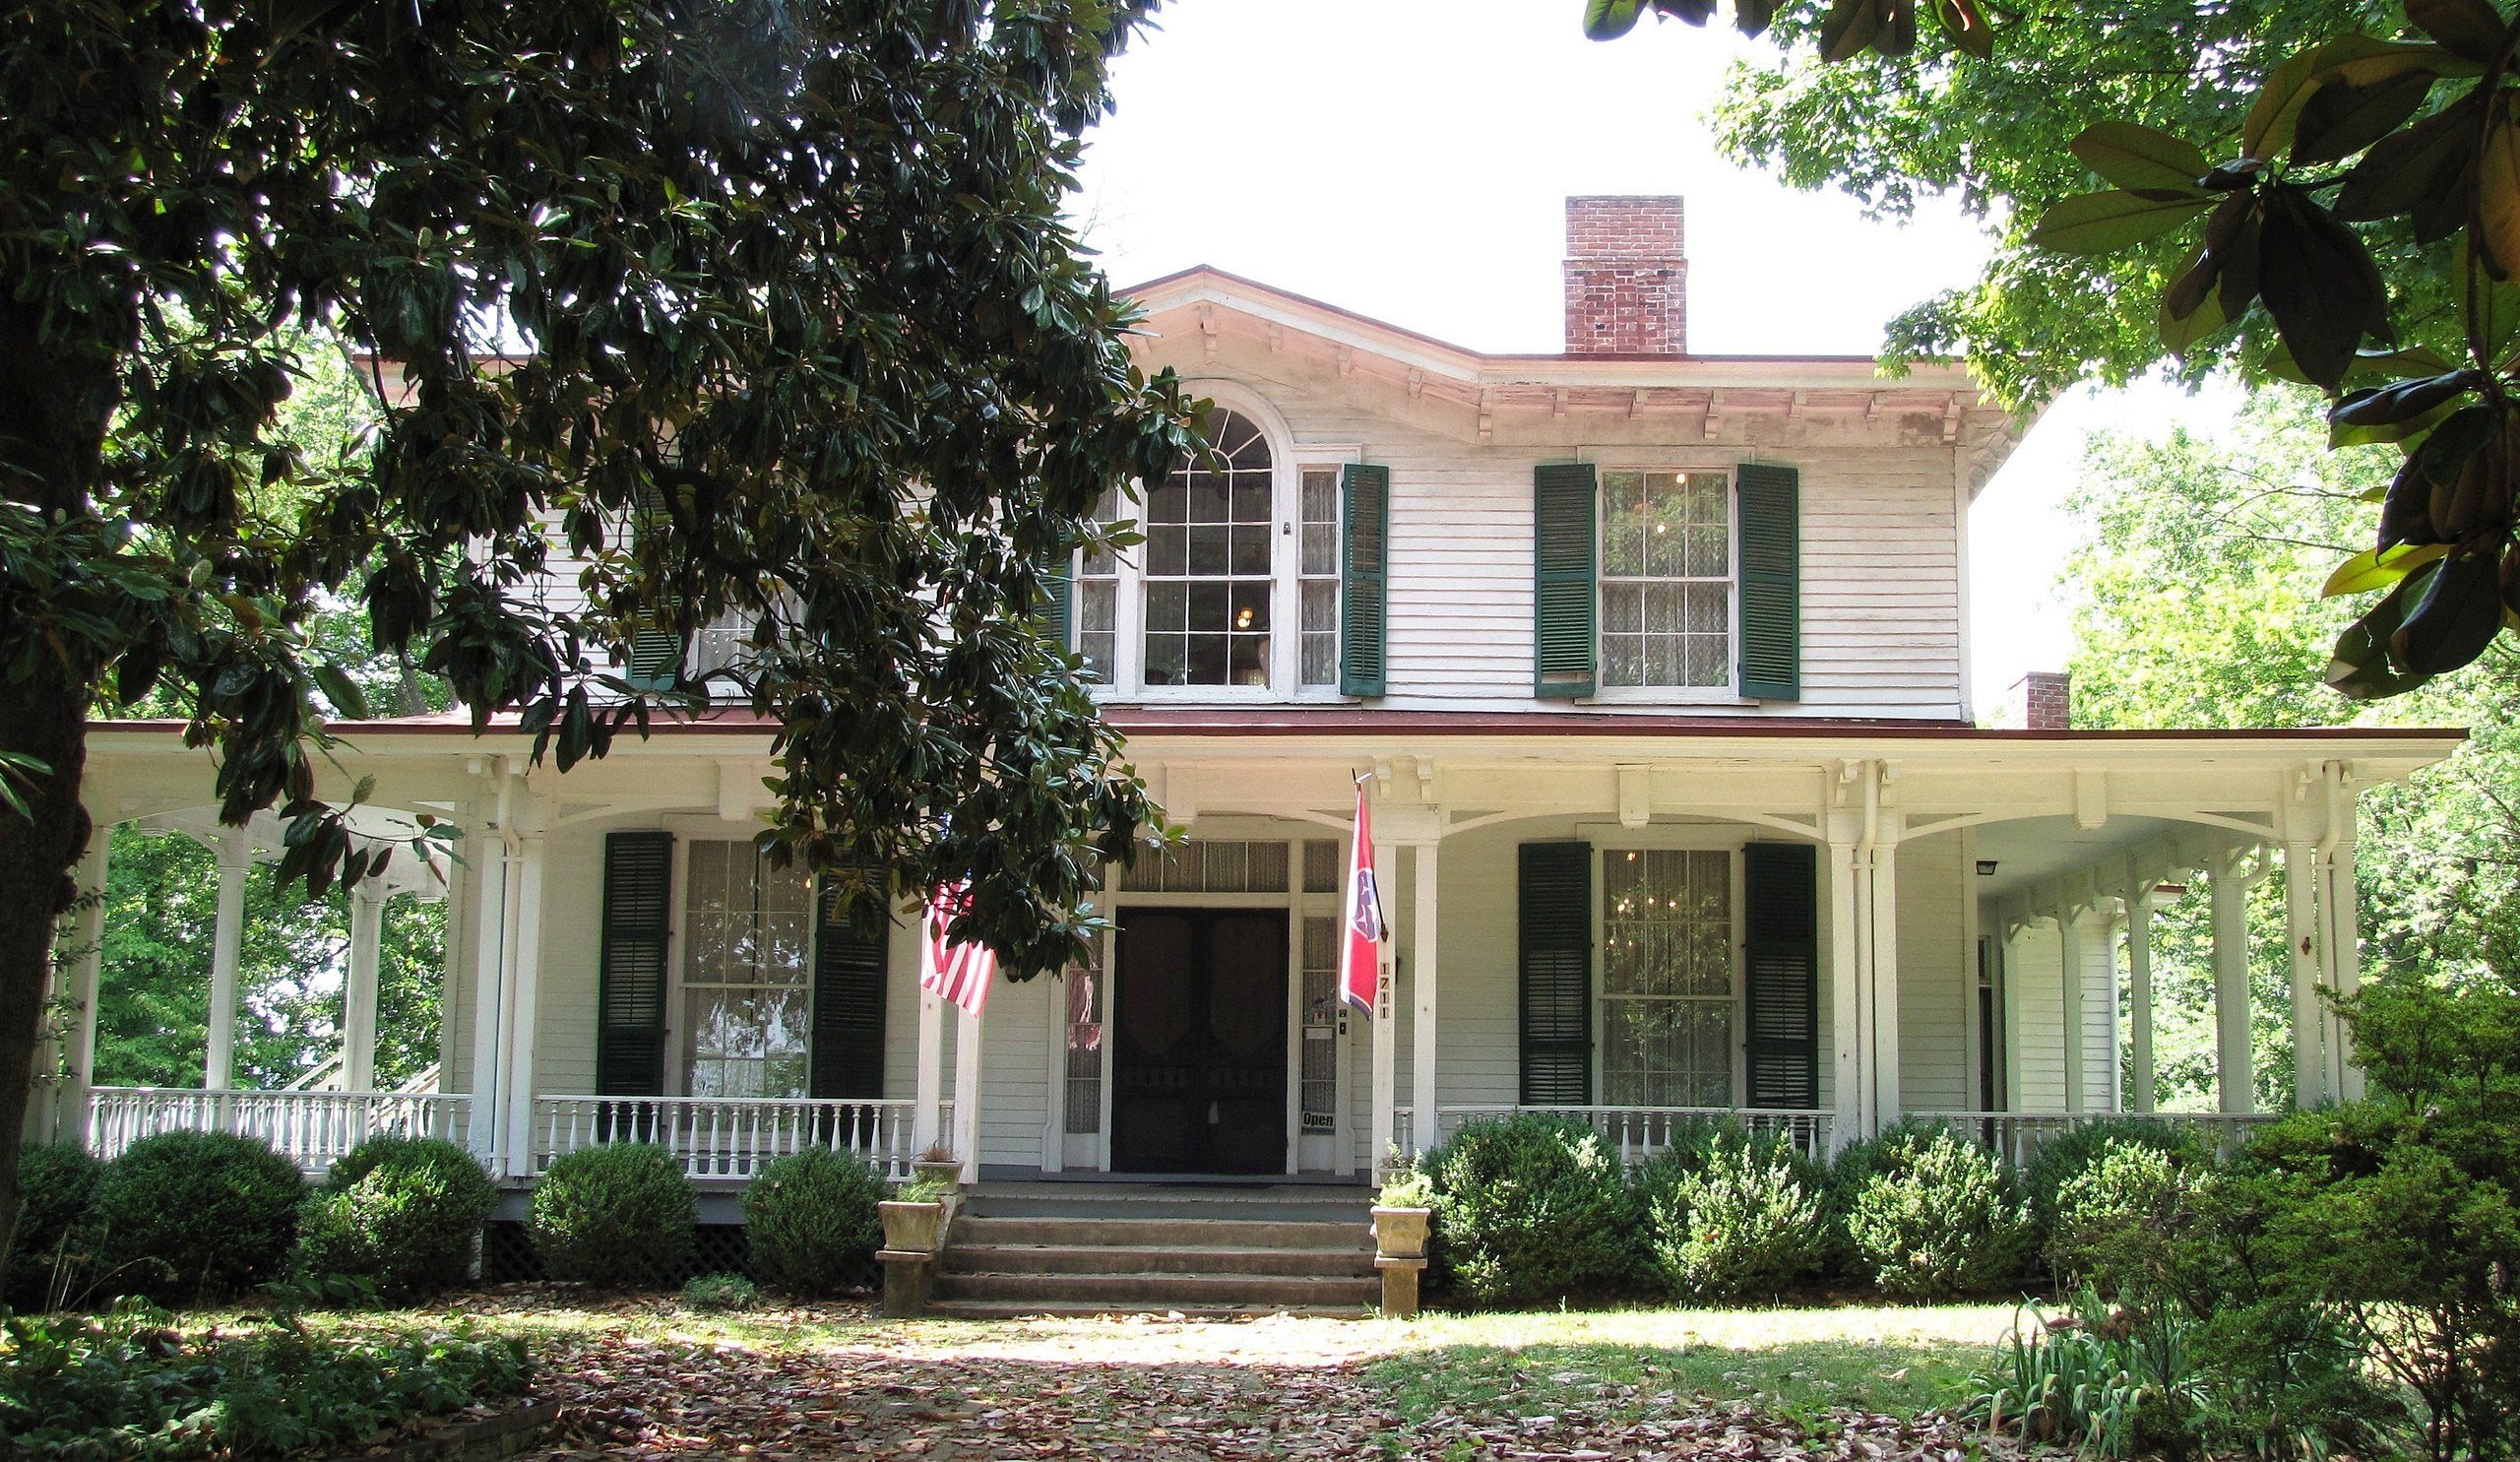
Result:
{"points": [[614, 1216]]}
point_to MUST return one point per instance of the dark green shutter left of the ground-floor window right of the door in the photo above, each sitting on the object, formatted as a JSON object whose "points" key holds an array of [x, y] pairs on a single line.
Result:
{"points": [[1556, 957]]}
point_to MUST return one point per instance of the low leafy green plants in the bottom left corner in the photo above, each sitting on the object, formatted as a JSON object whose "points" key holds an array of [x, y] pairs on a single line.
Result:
{"points": [[132, 1388]]}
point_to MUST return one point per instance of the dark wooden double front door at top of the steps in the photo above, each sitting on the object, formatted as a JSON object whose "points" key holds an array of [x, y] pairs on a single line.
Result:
{"points": [[1198, 1027]]}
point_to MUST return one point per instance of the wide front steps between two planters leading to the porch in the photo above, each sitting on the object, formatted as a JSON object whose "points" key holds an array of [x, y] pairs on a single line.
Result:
{"points": [[1155, 1249]]}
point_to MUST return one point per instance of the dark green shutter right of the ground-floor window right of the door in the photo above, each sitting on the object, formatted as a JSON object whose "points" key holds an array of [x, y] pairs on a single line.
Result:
{"points": [[1783, 974]]}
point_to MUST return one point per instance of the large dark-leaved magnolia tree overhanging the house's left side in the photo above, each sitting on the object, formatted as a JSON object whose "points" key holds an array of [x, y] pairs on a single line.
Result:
{"points": [[757, 306]]}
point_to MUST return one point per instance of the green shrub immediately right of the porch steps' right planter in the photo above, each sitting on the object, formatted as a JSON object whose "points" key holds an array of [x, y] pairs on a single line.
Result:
{"points": [[1531, 1209]]}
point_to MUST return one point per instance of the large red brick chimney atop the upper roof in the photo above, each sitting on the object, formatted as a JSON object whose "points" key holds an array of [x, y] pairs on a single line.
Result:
{"points": [[1627, 279]]}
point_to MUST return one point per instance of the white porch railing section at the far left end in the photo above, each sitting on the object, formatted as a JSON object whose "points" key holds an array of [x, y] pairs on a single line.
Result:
{"points": [[309, 1128]]}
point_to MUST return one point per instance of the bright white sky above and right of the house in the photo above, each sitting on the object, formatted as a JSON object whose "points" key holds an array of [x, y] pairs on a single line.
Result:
{"points": [[1410, 163]]}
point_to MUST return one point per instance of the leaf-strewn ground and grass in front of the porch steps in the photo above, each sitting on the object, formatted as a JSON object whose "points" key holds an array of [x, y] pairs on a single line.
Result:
{"points": [[646, 1380]]}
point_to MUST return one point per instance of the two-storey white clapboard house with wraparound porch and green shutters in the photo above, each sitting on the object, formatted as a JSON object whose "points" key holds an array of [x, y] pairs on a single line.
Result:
{"points": [[1657, 669]]}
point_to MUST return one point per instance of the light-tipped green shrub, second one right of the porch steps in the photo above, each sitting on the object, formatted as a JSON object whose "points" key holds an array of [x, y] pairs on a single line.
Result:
{"points": [[1738, 1224]]}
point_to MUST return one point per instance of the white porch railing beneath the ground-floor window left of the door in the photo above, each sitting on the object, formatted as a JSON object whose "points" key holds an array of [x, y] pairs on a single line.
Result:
{"points": [[730, 1136]]}
